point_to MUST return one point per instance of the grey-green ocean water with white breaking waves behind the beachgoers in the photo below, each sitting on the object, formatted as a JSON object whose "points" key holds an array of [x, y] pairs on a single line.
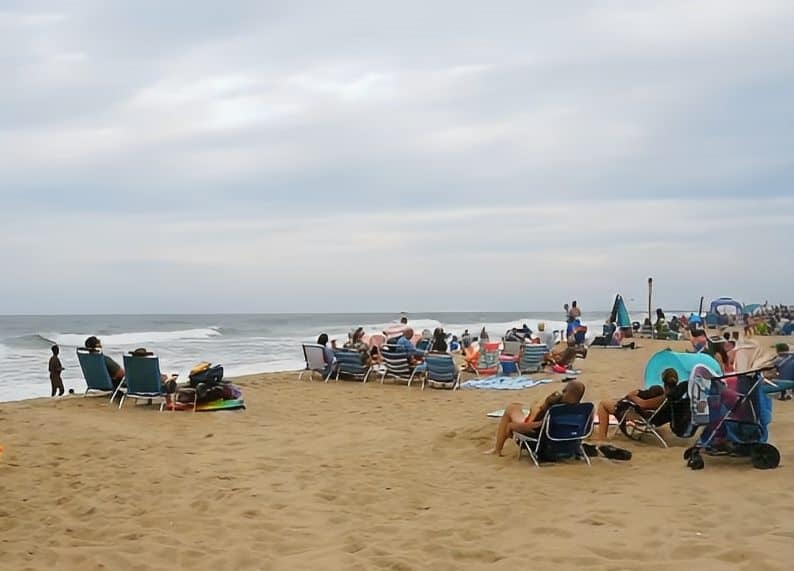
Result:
{"points": [[243, 344]]}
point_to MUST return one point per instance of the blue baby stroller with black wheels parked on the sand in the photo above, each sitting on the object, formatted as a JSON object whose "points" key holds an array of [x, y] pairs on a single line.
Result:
{"points": [[735, 412]]}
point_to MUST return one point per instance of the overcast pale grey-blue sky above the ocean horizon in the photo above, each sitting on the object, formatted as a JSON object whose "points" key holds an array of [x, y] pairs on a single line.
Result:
{"points": [[204, 157]]}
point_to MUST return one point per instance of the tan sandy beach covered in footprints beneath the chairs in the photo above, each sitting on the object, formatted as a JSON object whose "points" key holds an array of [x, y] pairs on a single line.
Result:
{"points": [[351, 476]]}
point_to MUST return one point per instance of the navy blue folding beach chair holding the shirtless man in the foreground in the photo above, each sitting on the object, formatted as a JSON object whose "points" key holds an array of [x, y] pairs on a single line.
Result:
{"points": [[561, 435]]}
